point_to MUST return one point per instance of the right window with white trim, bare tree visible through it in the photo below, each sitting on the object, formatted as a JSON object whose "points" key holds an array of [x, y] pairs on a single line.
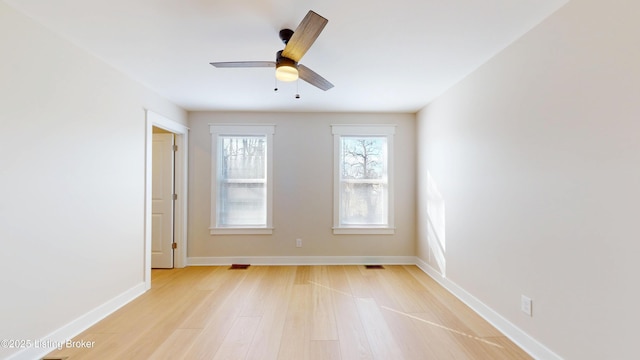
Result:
{"points": [[363, 179]]}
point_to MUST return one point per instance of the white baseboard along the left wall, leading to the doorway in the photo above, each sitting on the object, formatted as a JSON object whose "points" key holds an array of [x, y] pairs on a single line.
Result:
{"points": [[80, 324]]}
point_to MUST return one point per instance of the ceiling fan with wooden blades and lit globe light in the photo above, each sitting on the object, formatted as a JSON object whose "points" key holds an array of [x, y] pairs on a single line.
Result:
{"points": [[296, 45]]}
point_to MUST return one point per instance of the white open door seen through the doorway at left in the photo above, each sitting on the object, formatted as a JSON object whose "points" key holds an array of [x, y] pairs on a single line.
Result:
{"points": [[162, 201]]}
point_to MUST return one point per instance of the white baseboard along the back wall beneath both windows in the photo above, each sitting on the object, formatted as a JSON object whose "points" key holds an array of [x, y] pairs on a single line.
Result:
{"points": [[302, 260]]}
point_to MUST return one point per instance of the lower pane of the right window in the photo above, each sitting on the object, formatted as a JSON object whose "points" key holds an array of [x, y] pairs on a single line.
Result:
{"points": [[363, 204]]}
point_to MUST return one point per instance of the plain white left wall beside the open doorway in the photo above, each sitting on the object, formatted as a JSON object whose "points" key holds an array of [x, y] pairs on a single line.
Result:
{"points": [[72, 175]]}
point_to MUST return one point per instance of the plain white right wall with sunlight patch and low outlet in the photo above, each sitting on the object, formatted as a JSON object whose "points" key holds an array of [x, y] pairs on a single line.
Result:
{"points": [[536, 157]]}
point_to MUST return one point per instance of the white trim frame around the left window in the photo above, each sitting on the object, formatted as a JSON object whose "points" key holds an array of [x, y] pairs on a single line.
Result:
{"points": [[217, 130]]}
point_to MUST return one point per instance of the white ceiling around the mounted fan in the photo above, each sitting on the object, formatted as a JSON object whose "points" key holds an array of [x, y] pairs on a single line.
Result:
{"points": [[384, 56]]}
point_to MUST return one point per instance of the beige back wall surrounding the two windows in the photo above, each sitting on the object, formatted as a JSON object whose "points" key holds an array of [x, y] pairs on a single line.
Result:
{"points": [[303, 185]]}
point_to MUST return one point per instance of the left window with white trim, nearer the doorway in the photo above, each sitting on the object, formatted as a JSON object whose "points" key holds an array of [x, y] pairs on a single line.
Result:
{"points": [[241, 179]]}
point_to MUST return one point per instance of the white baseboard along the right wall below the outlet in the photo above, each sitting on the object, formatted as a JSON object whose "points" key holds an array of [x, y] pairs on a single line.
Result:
{"points": [[514, 333]]}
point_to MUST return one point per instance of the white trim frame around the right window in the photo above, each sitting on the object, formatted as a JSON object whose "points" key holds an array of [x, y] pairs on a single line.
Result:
{"points": [[387, 131]]}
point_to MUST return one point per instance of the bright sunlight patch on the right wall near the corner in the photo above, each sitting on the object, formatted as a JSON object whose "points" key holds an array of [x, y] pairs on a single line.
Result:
{"points": [[435, 226]]}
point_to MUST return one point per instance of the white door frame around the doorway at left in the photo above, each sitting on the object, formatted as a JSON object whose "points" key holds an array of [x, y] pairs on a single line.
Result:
{"points": [[181, 186]]}
